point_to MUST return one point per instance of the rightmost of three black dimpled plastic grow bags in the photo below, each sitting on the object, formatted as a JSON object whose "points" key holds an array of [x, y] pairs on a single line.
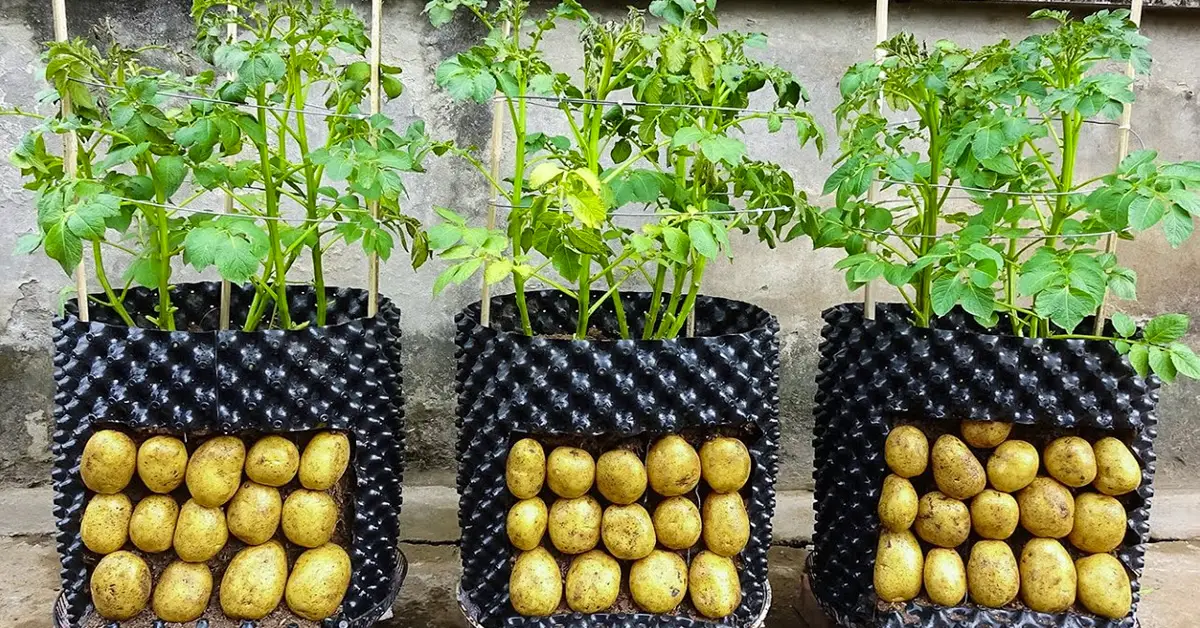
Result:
{"points": [[873, 373]]}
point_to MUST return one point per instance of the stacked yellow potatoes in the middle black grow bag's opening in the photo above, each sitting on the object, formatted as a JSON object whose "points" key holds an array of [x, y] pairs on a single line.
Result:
{"points": [[652, 548]]}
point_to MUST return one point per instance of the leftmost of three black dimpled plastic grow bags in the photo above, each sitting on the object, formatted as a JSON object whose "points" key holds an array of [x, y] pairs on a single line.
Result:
{"points": [[343, 376]]}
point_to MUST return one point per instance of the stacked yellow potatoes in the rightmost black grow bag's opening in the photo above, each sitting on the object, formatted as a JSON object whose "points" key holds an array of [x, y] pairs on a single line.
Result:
{"points": [[1070, 492]]}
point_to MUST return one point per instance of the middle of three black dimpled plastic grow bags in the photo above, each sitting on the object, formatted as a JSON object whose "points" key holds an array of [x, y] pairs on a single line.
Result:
{"points": [[512, 385]]}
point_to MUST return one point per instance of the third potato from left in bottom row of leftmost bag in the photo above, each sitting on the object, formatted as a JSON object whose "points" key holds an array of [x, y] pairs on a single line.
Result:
{"points": [[254, 583]]}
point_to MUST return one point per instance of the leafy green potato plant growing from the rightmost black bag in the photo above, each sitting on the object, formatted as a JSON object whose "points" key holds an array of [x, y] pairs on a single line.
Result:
{"points": [[1001, 128]]}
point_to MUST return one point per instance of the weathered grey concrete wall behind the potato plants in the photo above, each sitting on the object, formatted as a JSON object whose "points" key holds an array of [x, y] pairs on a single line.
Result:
{"points": [[817, 40]]}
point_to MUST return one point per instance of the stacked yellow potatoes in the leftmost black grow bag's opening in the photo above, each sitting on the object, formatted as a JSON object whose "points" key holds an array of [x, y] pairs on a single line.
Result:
{"points": [[219, 504]]}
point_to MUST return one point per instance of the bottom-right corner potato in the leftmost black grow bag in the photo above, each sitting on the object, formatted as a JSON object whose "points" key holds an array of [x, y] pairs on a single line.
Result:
{"points": [[319, 583]]}
